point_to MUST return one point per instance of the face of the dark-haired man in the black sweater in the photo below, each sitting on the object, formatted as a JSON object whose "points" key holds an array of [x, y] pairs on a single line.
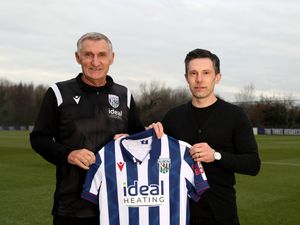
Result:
{"points": [[202, 78]]}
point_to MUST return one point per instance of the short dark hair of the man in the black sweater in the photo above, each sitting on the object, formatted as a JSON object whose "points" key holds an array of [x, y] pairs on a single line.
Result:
{"points": [[202, 53]]}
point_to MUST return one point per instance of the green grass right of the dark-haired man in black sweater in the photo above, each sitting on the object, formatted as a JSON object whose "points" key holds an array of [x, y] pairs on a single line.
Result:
{"points": [[273, 196]]}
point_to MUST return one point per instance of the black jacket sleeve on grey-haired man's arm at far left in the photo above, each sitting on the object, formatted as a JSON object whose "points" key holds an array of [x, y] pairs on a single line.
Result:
{"points": [[42, 138]]}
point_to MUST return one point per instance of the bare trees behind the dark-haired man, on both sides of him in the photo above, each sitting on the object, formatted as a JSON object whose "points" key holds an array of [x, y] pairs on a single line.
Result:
{"points": [[267, 112]]}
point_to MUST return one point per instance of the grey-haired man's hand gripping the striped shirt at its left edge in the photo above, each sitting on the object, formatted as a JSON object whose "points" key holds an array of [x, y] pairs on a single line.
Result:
{"points": [[82, 158]]}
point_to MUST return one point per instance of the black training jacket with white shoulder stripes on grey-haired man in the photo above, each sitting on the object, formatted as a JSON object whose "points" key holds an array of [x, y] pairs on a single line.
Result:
{"points": [[74, 115]]}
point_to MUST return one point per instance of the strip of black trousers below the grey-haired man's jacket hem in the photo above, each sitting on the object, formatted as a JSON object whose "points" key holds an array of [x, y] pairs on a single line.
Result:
{"points": [[61, 220]]}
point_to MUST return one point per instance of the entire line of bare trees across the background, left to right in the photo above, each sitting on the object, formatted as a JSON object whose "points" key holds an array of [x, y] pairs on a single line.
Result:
{"points": [[20, 103]]}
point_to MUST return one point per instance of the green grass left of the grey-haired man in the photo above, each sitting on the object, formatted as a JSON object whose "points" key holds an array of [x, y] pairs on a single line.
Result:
{"points": [[27, 182]]}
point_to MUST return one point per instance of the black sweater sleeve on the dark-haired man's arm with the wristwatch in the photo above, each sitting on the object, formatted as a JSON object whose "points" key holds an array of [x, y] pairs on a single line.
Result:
{"points": [[245, 159]]}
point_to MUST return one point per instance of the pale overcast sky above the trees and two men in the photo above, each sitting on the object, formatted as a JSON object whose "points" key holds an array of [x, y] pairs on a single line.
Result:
{"points": [[258, 42]]}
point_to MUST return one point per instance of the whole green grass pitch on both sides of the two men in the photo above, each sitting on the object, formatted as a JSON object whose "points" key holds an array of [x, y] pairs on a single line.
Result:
{"points": [[271, 198]]}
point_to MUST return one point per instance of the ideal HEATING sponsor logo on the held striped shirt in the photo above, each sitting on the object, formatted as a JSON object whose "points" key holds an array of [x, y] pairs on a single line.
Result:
{"points": [[143, 195]]}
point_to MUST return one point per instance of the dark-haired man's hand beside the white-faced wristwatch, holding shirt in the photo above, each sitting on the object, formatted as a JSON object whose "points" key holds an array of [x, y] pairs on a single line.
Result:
{"points": [[202, 152]]}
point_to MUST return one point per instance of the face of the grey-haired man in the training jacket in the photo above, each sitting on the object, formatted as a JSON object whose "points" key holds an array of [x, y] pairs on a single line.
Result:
{"points": [[95, 58]]}
